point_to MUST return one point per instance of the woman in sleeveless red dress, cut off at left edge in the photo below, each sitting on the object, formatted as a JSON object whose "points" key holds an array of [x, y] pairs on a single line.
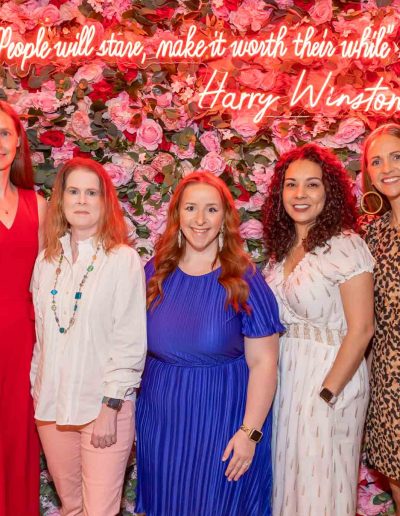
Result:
{"points": [[21, 217]]}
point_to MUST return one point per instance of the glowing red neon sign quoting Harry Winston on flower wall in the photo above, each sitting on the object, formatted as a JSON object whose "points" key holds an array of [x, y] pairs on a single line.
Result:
{"points": [[271, 49]]}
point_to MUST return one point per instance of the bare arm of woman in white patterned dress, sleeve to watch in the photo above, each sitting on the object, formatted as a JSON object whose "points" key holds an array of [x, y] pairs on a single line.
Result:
{"points": [[358, 303]]}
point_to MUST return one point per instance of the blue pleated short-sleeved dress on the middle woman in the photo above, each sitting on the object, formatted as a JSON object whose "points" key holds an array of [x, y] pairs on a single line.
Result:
{"points": [[192, 400]]}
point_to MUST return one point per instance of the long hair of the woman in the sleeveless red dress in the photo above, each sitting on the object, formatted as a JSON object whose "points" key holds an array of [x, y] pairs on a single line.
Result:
{"points": [[21, 173]]}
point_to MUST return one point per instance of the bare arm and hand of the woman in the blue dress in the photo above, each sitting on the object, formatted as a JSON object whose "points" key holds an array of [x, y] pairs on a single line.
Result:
{"points": [[261, 357]]}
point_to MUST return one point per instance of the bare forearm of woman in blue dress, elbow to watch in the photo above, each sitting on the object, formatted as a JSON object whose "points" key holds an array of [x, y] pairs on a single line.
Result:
{"points": [[260, 393]]}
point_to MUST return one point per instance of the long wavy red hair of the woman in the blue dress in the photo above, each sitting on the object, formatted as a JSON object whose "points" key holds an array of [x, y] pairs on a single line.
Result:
{"points": [[234, 261]]}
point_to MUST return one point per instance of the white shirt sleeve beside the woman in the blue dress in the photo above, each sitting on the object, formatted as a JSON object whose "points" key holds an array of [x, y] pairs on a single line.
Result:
{"points": [[129, 340]]}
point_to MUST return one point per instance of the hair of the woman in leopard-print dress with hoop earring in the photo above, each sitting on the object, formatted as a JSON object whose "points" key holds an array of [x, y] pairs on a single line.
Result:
{"points": [[371, 201]]}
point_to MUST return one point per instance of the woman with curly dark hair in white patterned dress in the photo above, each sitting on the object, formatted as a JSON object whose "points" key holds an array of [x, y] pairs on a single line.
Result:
{"points": [[320, 271]]}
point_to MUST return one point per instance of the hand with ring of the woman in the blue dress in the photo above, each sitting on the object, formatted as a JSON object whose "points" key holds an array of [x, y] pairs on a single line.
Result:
{"points": [[243, 452]]}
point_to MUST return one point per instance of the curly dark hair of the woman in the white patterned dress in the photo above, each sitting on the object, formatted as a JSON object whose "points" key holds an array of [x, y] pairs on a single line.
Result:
{"points": [[339, 212]]}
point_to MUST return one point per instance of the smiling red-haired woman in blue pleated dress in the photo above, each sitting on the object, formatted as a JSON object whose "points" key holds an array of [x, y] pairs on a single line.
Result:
{"points": [[203, 414]]}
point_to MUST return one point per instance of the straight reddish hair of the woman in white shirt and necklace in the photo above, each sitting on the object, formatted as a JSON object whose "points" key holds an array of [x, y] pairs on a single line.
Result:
{"points": [[112, 232]]}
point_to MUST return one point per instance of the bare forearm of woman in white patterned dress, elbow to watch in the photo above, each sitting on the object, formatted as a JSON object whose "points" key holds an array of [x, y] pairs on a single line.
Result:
{"points": [[347, 361]]}
